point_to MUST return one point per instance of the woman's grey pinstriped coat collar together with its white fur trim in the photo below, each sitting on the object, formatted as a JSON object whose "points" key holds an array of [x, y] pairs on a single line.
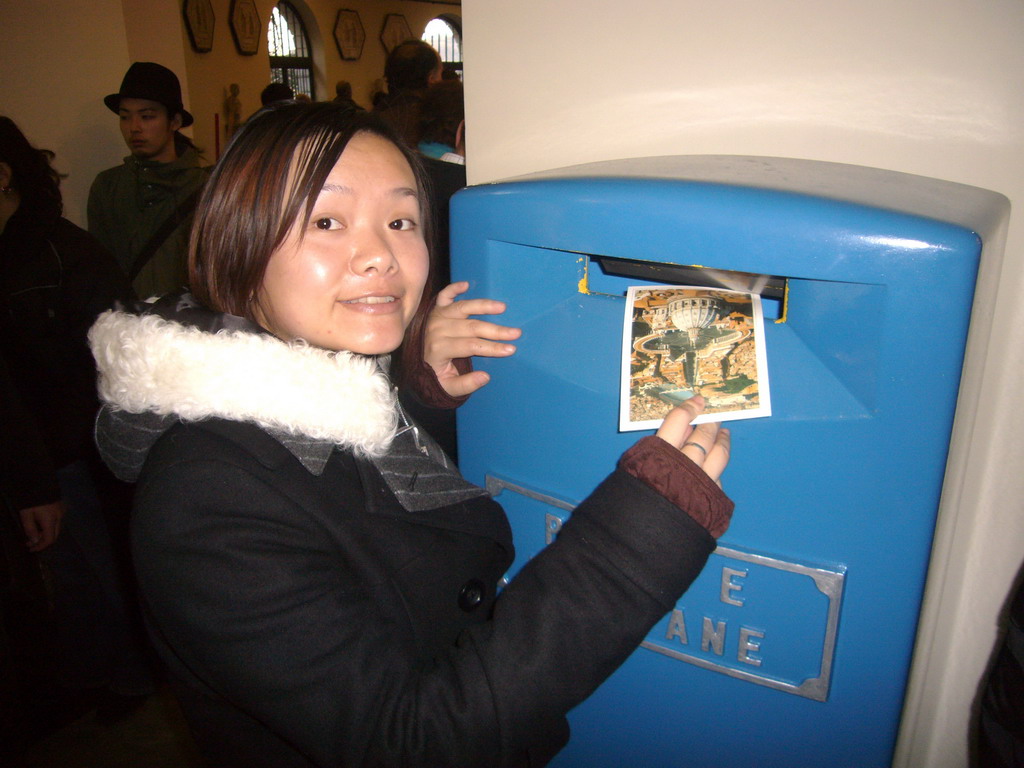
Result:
{"points": [[155, 370]]}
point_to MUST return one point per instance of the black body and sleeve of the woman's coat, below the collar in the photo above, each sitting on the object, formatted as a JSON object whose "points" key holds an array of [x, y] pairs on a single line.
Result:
{"points": [[313, 621]]}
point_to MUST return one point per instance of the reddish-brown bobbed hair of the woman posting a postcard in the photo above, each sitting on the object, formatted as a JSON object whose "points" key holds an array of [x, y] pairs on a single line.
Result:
{"points": [[268, 182]]}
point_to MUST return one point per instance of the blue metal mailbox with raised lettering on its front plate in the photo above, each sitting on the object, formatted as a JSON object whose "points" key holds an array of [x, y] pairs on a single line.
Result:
{"points": [[794, 647]]}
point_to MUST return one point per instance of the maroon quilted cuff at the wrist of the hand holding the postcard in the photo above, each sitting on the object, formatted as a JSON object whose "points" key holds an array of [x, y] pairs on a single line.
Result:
{"points": [[669, 473]]}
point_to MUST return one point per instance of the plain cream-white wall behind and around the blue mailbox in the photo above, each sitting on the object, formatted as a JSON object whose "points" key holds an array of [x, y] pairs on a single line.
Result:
{"points": [[923, 87]]}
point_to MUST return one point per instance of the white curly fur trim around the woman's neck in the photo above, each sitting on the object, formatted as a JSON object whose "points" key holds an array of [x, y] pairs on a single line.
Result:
{"points": [[148, 364]]}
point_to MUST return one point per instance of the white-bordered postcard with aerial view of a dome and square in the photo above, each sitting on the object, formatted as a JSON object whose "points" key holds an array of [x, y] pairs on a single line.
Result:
{"points": [[679, 342]]}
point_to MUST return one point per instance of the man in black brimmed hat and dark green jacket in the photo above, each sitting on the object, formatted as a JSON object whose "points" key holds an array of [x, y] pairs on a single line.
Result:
{"points": [[142, 210]]}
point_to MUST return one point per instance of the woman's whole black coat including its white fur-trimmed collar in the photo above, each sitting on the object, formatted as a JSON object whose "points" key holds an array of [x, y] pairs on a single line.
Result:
{"points": [[309, 617]]}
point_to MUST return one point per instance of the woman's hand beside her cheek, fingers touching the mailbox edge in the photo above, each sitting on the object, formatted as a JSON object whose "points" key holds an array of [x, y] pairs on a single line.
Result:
{"points": [[452, 333]]}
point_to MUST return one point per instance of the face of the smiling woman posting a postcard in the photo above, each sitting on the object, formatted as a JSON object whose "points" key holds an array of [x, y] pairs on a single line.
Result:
{"points": [[355, 280]]}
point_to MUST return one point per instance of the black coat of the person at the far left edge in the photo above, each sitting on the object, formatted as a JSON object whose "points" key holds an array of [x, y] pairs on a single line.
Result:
{"points": [[55, 280]]}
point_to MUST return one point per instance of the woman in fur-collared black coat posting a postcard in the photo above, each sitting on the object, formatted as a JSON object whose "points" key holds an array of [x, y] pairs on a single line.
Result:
{"points": [[322, 583]]}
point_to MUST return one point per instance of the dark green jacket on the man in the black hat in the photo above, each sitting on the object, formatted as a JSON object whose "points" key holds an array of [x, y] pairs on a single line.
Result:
{"points": [[127, 206]]}
